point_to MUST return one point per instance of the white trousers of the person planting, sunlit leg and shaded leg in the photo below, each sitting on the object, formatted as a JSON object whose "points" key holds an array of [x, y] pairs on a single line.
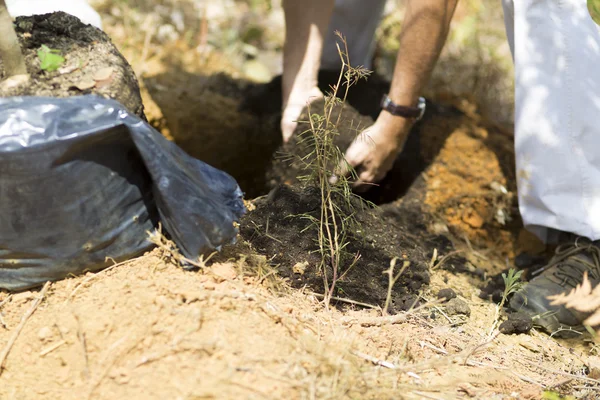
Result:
{"points": [[556, 48]]}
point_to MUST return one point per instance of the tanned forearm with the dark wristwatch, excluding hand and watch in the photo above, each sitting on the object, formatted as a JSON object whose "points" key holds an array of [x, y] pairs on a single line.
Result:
{"points": [[424, 32]]}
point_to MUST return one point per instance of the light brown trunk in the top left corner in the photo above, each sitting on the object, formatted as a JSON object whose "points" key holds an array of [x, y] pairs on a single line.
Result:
{"points": [[10, 51]]}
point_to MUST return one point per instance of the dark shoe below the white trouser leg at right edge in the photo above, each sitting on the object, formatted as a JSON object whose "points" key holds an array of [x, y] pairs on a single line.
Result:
{"points": [[563, 273]]}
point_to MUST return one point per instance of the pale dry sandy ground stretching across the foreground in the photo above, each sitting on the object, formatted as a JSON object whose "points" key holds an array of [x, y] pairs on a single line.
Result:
{"points": [[149, 330]]}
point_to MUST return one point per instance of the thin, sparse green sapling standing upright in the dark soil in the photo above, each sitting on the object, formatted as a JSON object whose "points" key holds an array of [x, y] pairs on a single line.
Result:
{"points": [[337, 211]]}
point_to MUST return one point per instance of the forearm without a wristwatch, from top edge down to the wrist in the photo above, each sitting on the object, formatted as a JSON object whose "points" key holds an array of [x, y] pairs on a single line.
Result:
{"points": [[305, 25]]}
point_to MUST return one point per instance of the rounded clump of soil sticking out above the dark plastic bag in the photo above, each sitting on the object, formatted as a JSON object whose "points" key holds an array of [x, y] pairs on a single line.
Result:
{"points": [[88, 53]]}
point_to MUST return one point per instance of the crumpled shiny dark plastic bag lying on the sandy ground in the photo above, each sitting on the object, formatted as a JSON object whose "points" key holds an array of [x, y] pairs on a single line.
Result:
{"points": [[82, 181]]}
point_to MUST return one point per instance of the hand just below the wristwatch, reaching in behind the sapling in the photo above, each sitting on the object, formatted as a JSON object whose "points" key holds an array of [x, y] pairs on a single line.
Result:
{"points": [[373, 152]]}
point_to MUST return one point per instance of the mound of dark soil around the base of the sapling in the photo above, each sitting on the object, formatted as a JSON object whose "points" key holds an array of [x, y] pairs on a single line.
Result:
{"points": [[278, 228]]}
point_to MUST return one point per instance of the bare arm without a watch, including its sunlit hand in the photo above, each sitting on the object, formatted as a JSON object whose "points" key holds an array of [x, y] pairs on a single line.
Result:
{"points": [[305, 25]]}
